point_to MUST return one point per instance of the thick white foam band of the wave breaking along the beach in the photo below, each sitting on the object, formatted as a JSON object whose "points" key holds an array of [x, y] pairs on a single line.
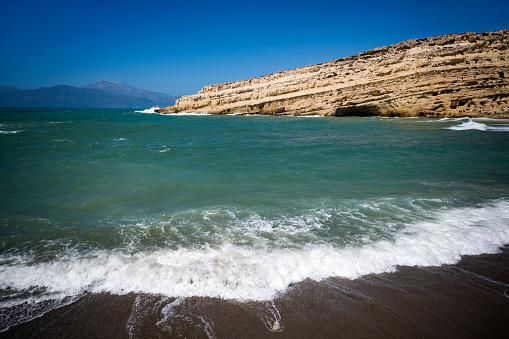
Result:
{"points": [[249, 273]]}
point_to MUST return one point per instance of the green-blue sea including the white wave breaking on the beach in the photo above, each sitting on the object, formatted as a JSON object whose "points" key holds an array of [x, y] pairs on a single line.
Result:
{"points": [[235, 207]]}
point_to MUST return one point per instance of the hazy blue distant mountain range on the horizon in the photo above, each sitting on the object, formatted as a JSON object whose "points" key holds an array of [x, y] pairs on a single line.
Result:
{"points": [[99, 94]]}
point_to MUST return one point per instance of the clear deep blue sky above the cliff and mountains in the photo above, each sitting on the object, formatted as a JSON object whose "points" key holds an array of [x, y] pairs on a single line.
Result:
{"points": [[179, 47]]}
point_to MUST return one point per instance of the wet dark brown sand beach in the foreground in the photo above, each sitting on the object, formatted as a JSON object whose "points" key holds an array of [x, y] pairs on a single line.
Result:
{"points": [[465, 300]]}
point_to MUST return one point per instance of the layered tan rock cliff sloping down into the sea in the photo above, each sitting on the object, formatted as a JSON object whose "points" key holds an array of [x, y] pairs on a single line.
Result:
{"points": [[455, 75]]}
